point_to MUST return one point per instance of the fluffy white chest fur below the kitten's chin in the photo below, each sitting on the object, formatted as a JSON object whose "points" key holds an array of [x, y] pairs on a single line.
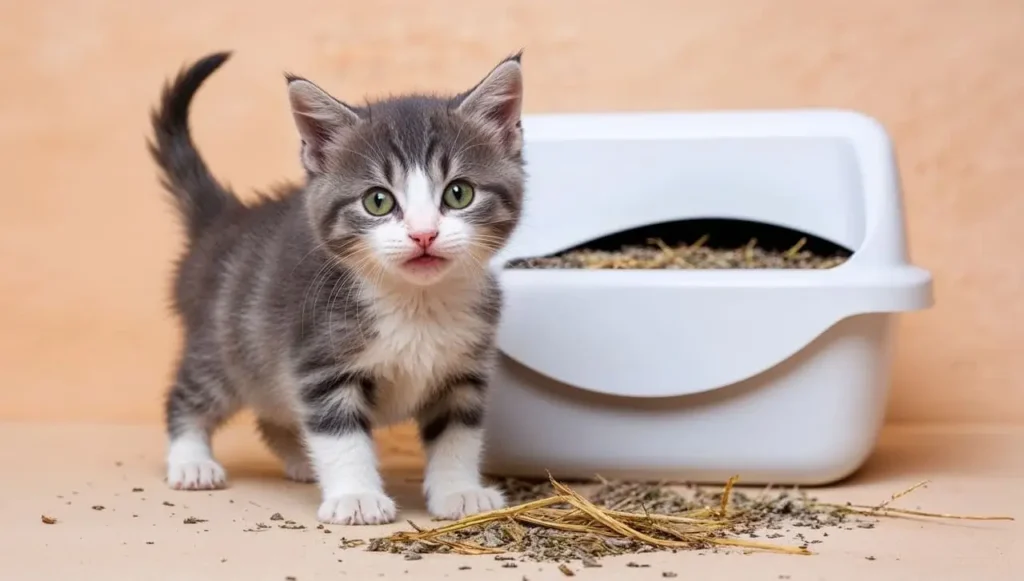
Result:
{"points": [[421, 337]]}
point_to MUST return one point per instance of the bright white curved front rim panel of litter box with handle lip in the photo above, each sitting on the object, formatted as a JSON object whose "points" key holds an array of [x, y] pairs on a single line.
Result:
{"points": [[663, 335]]}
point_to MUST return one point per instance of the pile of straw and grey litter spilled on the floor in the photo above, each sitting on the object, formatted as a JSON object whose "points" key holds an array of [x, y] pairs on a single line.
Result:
{"points": [[550, 522]]}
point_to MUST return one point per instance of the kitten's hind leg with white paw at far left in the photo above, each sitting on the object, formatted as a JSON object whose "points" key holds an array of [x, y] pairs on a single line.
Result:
{"points": [[197, 405]]}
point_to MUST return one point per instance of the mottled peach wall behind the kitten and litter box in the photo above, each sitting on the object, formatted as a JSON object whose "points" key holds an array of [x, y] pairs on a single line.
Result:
{"points": [[87, 240]]}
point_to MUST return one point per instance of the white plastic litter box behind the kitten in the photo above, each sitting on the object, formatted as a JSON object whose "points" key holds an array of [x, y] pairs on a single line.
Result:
{"points": [[780, 377]]}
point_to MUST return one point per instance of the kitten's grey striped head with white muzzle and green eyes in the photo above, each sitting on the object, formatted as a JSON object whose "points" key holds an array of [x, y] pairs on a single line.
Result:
{"points": [[415, 187]]}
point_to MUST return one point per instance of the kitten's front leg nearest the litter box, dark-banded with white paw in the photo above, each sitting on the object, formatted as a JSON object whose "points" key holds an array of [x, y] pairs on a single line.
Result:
{"points": [[452, 433]]}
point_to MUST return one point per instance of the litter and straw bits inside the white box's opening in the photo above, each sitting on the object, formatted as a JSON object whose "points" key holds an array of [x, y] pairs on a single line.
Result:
{"points": [[659, 256]]}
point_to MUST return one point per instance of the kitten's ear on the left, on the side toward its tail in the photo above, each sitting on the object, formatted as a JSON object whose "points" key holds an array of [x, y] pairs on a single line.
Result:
{"points": [[320, 118]]}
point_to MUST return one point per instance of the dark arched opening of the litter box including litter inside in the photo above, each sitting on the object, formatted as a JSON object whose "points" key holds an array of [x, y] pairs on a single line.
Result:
{"points": [[698, 244]]}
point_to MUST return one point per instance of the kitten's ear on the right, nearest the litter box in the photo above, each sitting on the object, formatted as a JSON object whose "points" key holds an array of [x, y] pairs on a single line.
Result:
{"points": [[497, 101]]}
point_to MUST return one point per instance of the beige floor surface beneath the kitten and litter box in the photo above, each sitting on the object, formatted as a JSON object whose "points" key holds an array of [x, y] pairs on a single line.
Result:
{"points": [[65, 471]]}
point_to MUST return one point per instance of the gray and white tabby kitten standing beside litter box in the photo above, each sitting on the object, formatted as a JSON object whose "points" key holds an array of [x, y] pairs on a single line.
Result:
{"points": [[359, 300]]}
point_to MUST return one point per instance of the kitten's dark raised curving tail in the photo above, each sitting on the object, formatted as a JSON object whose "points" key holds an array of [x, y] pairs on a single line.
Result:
{"points": [[198, 196]]}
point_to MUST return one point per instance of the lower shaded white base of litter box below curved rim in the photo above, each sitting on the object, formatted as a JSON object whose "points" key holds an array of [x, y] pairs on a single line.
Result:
{"points": [[812, 421]]}
